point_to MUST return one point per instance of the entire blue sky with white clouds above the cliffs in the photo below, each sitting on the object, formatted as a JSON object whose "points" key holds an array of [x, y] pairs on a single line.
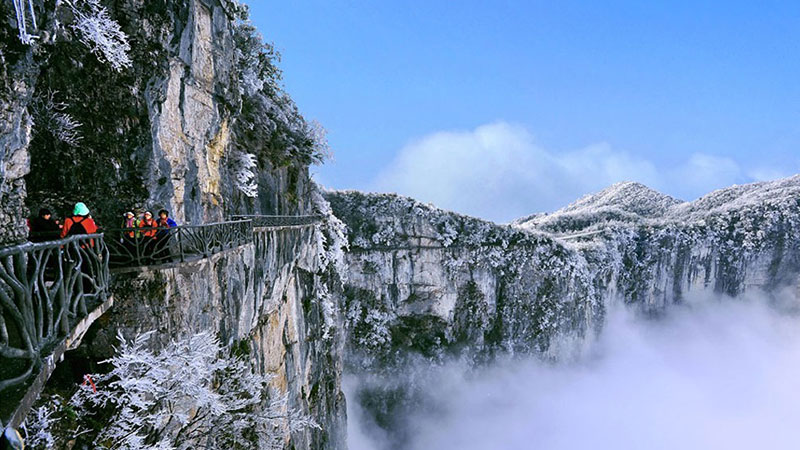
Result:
{"points": [[504, 108]]}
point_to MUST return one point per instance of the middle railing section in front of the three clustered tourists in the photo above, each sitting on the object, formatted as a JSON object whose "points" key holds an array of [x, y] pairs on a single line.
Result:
{"points": [[131, 247]]}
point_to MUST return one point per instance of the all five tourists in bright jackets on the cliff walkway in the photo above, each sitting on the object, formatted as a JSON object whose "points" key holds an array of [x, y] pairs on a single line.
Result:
{"points": [[138, 235]]}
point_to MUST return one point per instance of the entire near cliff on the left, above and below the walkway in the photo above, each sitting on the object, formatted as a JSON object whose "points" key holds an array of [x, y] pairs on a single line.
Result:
{"points": [[197, 124]]}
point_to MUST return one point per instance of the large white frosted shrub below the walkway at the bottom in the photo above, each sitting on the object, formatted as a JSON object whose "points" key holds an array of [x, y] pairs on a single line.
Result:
{"points": [[188, 395]]}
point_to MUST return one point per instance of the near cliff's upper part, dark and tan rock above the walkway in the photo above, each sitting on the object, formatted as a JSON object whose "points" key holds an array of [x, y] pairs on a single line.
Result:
{"points": [[184, 127]]}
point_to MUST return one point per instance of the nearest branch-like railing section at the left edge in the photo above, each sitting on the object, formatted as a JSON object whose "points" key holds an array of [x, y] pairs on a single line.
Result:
{"points": [[45, 289]]}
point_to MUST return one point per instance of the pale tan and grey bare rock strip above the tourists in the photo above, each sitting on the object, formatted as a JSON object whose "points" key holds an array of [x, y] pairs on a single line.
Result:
{"points": [[191, 133]]}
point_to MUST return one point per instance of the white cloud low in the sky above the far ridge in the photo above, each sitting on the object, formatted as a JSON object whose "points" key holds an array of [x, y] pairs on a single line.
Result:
{"points": [[497, 171]]}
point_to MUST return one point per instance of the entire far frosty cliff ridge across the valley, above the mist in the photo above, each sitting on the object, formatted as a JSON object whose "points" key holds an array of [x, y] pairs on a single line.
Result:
{"points": [[425, 284]]}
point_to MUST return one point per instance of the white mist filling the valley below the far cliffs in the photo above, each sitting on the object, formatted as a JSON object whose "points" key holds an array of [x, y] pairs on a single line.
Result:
{"points": [[718, 375]]}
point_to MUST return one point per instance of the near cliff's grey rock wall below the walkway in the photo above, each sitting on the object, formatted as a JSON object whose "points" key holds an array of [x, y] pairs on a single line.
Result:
{"points": [[270, 298]]}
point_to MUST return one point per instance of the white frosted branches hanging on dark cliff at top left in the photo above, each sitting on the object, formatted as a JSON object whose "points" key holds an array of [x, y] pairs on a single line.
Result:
{"points": [[102, 34]]}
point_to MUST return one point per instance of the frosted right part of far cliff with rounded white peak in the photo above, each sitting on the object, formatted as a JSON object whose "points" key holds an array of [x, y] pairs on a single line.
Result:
{"points": [[732, 241]]}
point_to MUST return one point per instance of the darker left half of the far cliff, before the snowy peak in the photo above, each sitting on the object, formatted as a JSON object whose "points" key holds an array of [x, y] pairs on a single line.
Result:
{"points": [[425, 281]]}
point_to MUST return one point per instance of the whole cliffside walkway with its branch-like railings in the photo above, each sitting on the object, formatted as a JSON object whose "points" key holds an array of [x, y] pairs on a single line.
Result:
{"points": [[52, 292]]}
